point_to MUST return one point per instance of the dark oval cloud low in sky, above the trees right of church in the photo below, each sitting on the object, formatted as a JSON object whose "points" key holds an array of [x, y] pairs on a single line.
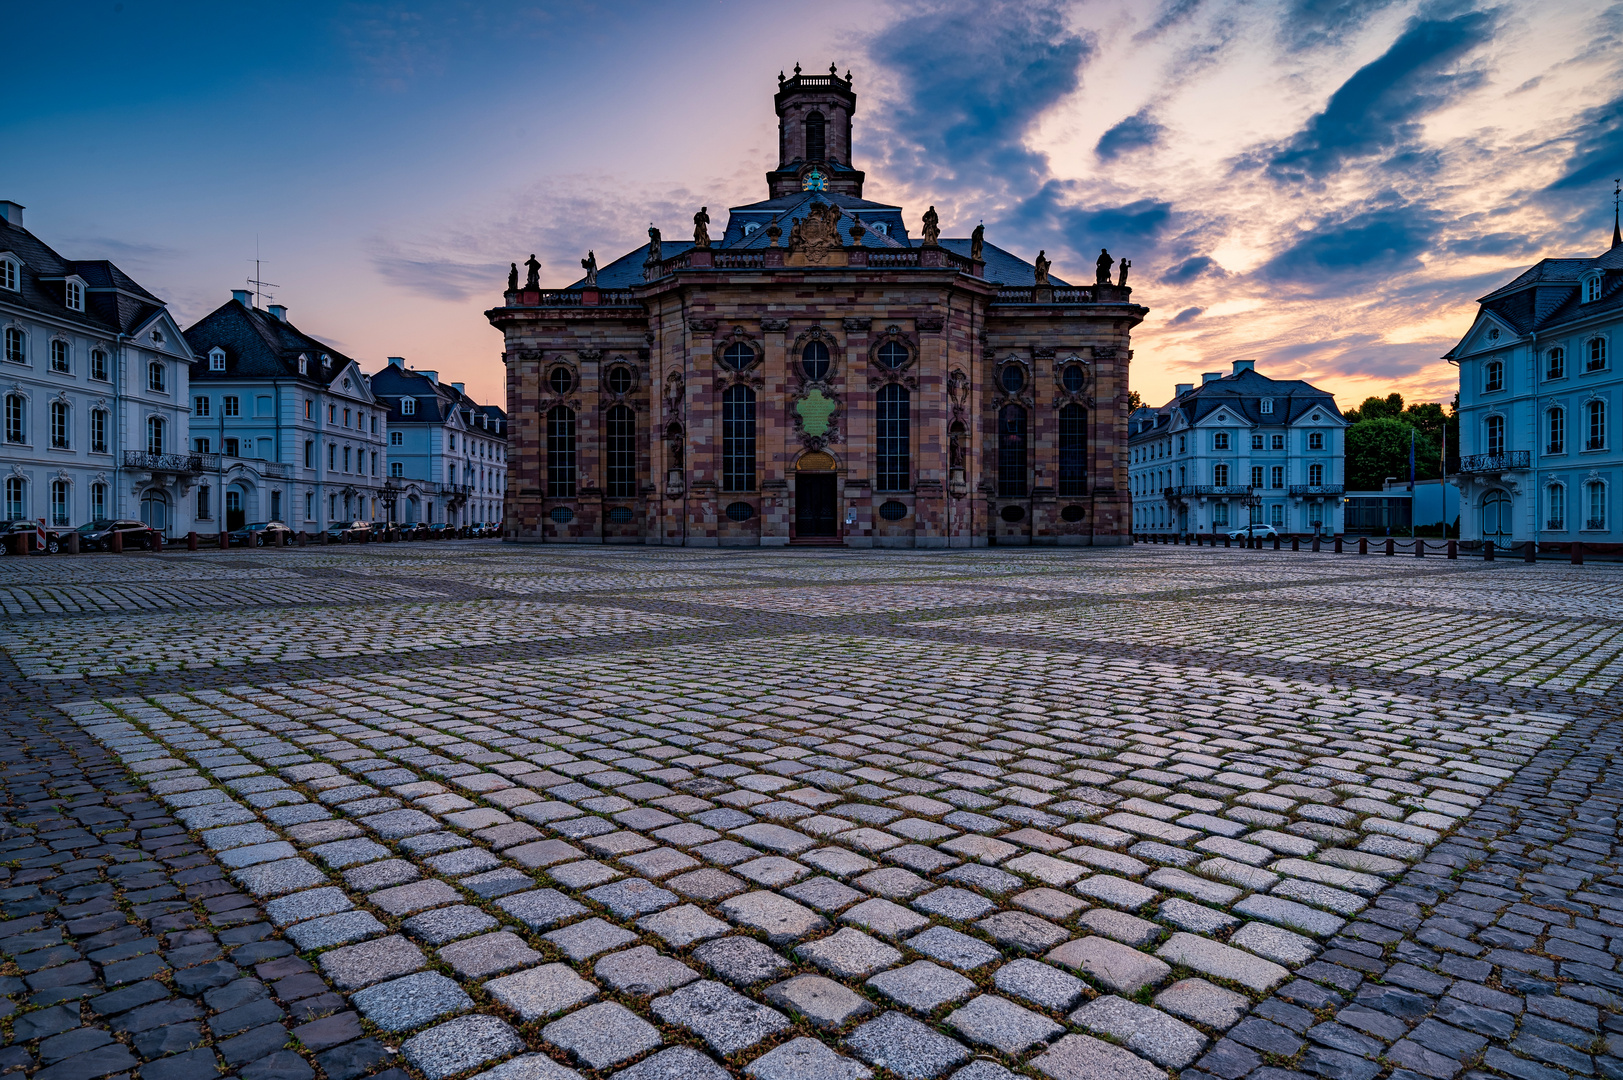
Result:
{"points": [[1343, 256]]}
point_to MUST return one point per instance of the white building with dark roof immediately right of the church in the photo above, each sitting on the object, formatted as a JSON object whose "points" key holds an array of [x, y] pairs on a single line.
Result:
{"points": [[1236, 451]]}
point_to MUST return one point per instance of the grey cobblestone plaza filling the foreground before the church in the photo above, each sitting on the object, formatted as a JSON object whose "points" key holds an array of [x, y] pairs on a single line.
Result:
{"points": [[553, 814]]}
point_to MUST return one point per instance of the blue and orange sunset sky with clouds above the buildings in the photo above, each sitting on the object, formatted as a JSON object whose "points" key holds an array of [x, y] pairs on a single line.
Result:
{"points": [[1320, 186]]}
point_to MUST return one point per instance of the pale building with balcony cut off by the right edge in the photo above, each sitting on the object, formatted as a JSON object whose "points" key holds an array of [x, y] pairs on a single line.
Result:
{"points": [[1539, 394]]}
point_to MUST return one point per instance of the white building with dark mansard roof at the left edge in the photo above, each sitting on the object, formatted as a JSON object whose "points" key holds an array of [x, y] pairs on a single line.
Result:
{"points": [[97, 378]]}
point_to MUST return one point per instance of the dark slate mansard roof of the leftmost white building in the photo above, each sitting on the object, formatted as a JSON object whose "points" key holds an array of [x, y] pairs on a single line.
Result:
{"points": [[114, 303]]}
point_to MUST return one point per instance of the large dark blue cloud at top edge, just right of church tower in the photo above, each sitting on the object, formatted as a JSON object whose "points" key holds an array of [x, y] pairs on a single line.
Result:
{"points": [[975, 79]]}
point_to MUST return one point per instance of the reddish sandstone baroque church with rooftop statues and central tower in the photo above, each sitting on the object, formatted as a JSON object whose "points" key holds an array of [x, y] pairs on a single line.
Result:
{"points": [[816, 373]]}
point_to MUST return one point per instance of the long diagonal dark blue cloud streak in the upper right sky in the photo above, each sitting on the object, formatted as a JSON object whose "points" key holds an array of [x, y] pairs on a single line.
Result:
{"points": [[1379, 108]]}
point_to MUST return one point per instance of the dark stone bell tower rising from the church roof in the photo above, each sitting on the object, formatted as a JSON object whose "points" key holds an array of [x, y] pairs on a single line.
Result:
{"points": [[814, 136]]}
